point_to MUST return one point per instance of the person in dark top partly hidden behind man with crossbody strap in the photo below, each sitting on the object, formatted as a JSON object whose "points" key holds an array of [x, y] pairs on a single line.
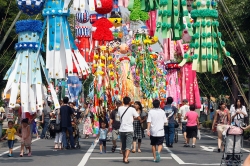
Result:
{"points": [[114, 124]]}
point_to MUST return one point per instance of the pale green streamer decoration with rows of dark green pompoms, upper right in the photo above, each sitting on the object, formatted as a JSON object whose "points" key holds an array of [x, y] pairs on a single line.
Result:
{"points": [[207, 47]]}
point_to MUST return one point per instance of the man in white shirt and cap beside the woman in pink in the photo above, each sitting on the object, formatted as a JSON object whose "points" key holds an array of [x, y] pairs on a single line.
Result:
{"points": [[182, 112]]}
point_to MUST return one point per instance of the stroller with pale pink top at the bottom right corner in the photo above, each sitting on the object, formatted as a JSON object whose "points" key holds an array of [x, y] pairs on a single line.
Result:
{"points": [[233, 142]]}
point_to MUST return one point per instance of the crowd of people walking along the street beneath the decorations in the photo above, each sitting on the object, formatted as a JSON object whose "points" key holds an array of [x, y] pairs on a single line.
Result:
{"points": [[125, 122]]}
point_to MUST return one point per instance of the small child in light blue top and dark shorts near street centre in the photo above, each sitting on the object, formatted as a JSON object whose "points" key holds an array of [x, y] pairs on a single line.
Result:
{"points": [[102, 135]]}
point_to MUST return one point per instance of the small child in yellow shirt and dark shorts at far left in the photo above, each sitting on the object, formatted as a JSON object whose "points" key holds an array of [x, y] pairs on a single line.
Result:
{"points": [[10, 133]]}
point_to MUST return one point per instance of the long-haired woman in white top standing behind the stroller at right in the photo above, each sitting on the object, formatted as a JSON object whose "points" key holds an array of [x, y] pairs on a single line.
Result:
{"points": [[238, 112]]}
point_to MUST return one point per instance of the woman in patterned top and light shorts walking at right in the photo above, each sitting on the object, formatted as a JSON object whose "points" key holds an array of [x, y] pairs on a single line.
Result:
{"points": [[222, 120]]}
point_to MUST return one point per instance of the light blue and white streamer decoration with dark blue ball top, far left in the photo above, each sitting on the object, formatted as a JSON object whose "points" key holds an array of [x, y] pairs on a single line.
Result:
{"points": [[25, 71]]}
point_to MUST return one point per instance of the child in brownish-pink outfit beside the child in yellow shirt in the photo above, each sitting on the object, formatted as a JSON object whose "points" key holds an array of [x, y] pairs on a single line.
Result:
{"points": [[26, 138]]}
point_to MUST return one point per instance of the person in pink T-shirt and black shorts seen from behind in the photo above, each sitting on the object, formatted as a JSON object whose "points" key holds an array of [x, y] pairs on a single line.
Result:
{"points": [[193, 124]]}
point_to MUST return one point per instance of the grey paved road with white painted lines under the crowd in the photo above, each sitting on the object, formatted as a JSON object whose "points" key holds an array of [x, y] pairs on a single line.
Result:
{"points": [[44, 155]]}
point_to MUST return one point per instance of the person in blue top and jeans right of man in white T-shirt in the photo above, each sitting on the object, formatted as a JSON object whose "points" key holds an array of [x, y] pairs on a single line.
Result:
{"points": [[171, 115]]}
